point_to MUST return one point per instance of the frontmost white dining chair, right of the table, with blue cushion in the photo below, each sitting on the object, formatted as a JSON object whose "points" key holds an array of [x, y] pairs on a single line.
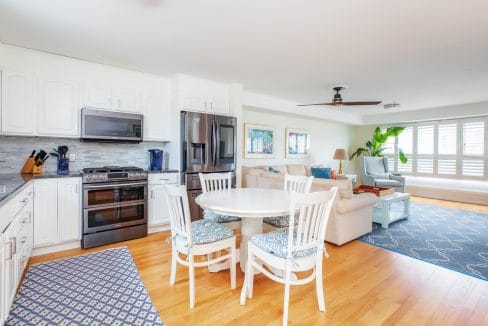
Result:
{"points": [[298, 250]]}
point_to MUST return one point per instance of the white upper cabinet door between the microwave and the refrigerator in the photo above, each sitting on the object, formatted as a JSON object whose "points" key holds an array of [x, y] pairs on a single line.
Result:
{"points": [[157, 117]]}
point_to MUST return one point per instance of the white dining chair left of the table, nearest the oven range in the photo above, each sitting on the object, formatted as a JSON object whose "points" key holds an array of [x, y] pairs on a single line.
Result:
{"points": [[202, 237]]}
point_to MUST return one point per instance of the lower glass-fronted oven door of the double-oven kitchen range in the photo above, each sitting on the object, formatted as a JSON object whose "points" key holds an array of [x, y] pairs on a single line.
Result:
{"points": [[109, 217]]}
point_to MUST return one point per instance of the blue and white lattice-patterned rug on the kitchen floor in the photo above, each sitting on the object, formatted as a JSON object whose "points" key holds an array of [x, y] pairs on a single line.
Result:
{"points": [[103, 288]]}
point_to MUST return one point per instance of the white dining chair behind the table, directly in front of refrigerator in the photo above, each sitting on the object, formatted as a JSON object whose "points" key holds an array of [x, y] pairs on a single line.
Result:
{"points": [[218, 182]]}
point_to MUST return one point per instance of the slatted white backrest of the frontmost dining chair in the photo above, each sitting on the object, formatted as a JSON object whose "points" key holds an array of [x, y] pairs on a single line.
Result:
{"points": [[312, 212]]}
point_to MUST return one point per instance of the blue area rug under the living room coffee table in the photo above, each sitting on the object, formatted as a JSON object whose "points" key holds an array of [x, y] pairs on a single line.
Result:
{"points": [[447, 237]]}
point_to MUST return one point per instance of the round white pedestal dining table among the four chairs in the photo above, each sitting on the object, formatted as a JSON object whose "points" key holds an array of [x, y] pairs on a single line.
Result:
{"points": [[251, 205]]}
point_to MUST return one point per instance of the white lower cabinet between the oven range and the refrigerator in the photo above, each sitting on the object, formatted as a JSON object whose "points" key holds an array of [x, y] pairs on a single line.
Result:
{"points": [[157, 208]]}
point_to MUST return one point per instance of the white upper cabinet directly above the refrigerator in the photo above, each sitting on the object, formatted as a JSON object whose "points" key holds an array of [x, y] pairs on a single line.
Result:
{"points": [[198, 94]]}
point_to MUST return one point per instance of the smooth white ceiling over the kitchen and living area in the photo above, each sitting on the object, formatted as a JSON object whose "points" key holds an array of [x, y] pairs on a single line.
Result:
{"points": [[418, 53]]}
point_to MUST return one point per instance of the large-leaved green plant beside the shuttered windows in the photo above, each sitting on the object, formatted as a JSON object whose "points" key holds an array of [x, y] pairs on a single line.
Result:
{"points": [[376, 145]]}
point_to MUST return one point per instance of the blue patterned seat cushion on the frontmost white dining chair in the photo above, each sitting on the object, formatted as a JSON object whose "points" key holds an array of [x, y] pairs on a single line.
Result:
{"points": [[276, 243]]}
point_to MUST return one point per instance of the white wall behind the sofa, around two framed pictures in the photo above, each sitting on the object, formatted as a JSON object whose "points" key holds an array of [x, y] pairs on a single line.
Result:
{"points": [[326, 136]]}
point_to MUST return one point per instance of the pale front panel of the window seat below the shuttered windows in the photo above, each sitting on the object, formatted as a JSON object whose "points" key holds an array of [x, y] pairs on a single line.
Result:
{"points": [[448, 194]]}
